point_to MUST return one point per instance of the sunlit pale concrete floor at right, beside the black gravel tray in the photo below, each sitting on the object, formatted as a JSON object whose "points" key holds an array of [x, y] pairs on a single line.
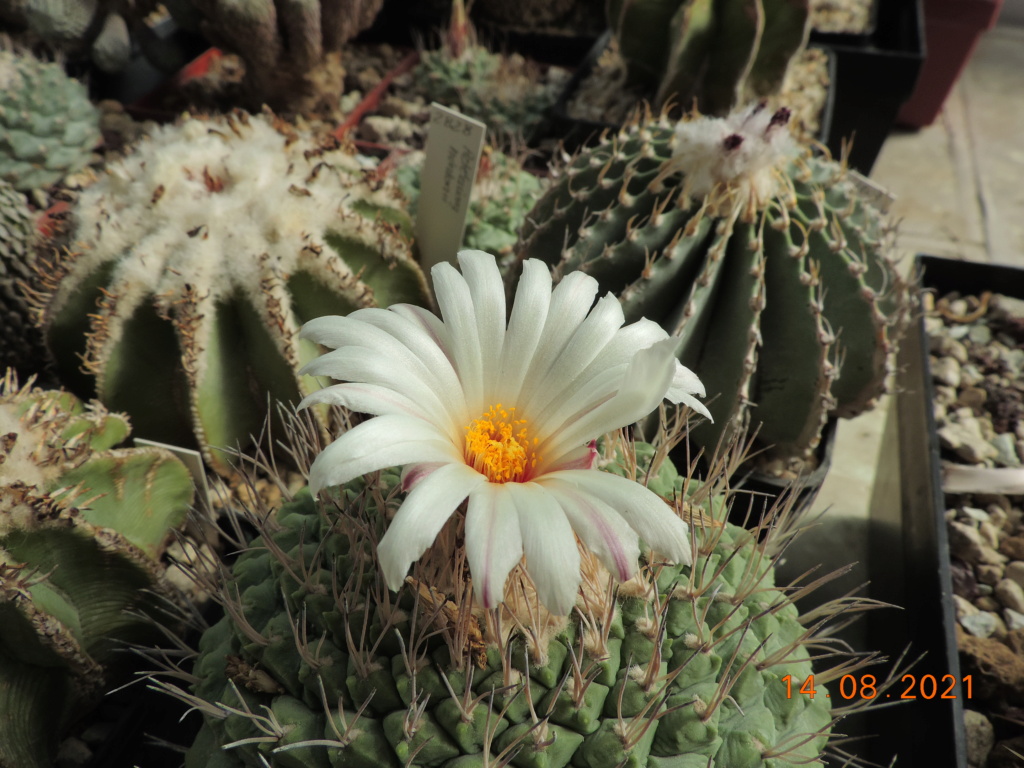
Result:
{"points": [[960, 189]]}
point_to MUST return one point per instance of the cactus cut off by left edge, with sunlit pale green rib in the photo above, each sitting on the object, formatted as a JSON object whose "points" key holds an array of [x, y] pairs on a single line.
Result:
{"points": [[83, 528]]}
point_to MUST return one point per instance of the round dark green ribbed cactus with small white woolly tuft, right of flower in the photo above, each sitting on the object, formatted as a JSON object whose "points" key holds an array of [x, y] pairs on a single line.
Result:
{"points": [[760, 257]]}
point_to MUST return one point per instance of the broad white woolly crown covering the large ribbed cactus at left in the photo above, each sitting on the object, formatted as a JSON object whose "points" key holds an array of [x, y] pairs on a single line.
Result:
{"points": [[199, 202]]}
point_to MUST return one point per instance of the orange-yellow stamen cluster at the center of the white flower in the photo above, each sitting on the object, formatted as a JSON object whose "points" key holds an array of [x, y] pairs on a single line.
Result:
{"points": [[498, 446]]}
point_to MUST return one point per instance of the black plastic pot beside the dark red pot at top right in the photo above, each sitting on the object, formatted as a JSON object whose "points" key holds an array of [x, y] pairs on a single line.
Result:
{"points": [[875, 75]]}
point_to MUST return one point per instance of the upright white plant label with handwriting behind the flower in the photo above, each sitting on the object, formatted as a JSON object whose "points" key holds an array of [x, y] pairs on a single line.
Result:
{"points": [[453, 154]]}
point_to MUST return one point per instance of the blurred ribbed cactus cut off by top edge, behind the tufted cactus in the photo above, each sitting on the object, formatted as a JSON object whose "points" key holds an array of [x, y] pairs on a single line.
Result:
{"points": [[721, 53]]}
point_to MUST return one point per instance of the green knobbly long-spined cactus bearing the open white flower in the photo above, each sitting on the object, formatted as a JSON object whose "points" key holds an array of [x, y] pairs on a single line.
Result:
{"points": [[317, 664]]}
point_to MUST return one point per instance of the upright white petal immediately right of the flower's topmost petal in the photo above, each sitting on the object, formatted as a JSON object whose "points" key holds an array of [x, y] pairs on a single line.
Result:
{"points": [[530, 311]]}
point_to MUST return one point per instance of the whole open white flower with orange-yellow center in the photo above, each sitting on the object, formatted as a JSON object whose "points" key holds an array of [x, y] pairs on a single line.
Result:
{"points": [[505, 415]]}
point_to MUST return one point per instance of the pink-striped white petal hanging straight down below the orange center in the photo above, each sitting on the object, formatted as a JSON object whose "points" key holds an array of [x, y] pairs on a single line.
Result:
{"points": [[494, 544]]}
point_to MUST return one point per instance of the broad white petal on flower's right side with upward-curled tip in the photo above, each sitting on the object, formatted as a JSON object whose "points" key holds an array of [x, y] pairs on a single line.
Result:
{"points": [[644, 388]]}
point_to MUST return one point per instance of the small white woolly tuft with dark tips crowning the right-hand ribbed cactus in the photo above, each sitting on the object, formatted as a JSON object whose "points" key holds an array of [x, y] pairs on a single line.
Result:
{"points": [[745, 149]]}
